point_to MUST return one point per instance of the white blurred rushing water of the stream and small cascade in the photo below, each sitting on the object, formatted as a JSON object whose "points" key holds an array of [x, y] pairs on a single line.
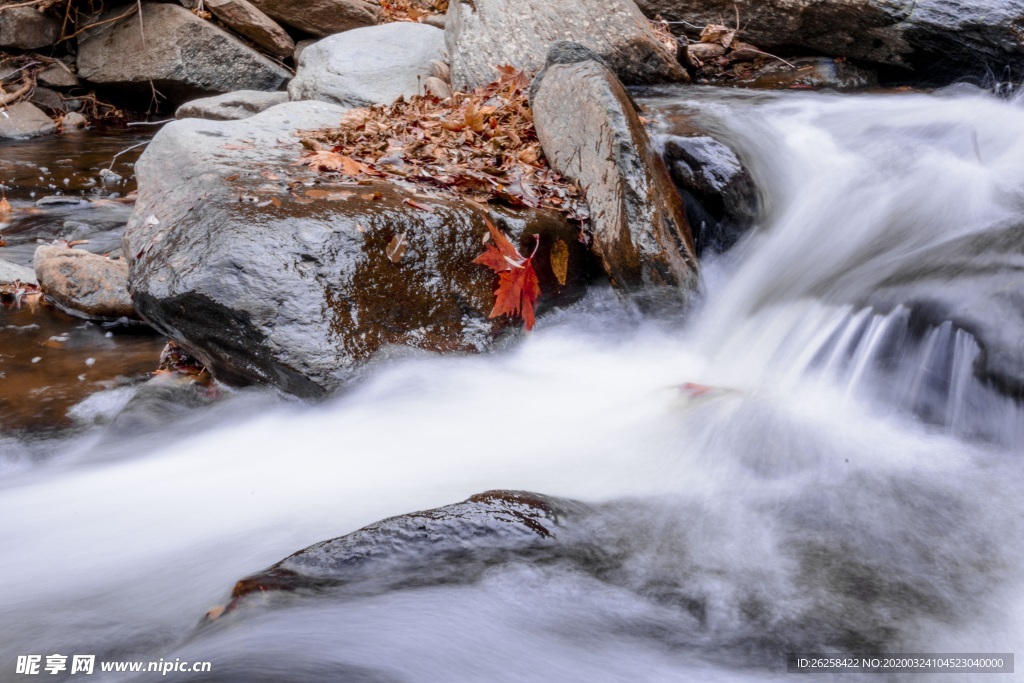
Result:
{"points": [[802, 506]]}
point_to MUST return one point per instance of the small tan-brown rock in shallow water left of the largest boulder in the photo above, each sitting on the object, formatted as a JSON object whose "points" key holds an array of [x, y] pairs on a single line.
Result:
{"points": [[84, 284]]}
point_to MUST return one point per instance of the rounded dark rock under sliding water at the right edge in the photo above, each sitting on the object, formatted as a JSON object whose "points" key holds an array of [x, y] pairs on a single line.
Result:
{"points": [[974, 282]]}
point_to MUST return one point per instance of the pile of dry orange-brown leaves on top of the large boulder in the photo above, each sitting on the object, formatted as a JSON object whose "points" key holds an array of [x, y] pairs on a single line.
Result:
{"points": [[480, 146]]}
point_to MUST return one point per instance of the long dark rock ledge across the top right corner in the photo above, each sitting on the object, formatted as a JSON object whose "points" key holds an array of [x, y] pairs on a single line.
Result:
{"points": [[948, 38]]}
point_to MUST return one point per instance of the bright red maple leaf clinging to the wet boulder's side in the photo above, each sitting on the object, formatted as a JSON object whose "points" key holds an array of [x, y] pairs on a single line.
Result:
{"points": [[519, 287]]}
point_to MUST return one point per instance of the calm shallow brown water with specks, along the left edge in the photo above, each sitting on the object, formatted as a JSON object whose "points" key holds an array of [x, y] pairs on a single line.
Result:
{"points": [[51, 361]]}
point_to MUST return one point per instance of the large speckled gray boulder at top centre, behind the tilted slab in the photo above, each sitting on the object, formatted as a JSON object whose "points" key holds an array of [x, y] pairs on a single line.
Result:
{"points": [[485, 34]]}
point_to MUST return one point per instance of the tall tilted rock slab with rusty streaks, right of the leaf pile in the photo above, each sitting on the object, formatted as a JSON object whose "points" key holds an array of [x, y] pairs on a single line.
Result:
{"points": [[590, 133]]}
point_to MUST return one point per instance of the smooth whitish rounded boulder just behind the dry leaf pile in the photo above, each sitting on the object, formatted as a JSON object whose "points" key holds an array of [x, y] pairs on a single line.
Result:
{"points": [[371, 66]]}
